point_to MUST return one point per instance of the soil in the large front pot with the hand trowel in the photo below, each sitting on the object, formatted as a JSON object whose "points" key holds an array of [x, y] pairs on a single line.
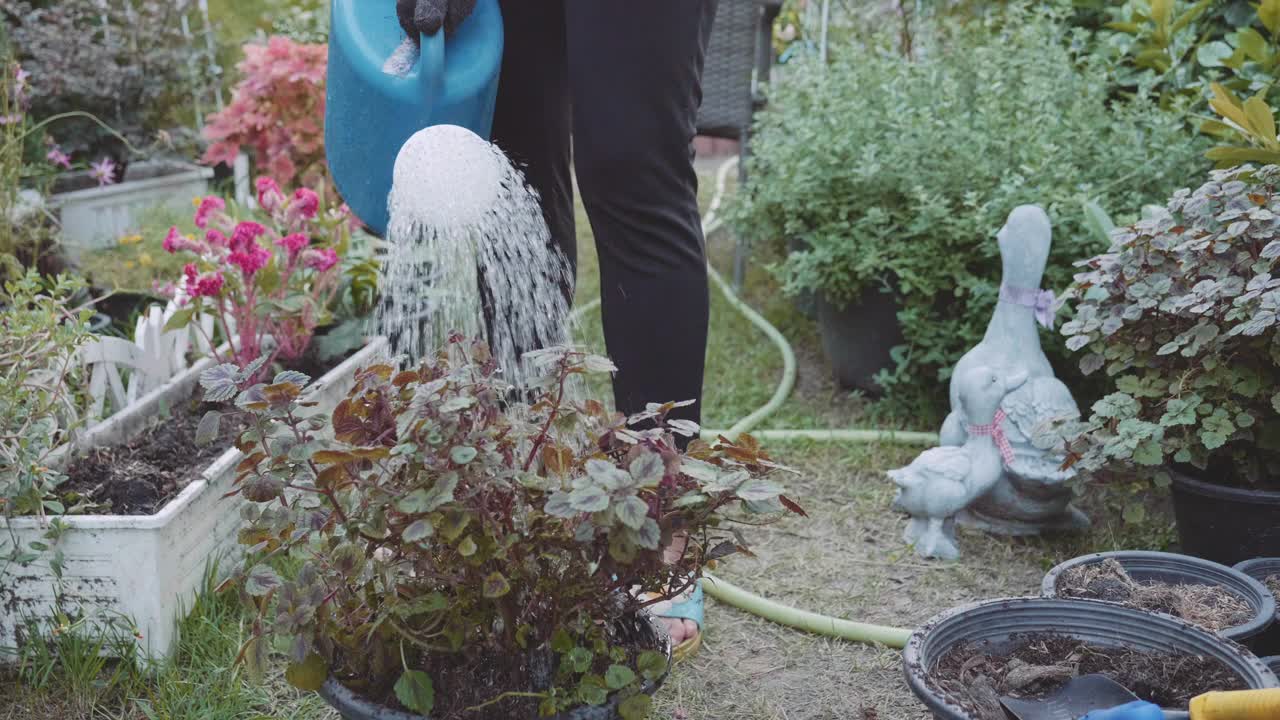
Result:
{"points": [[1039, 664]]}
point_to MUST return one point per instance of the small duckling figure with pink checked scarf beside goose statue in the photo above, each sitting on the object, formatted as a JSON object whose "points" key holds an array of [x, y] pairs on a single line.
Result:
{"points": [[944, 481]]}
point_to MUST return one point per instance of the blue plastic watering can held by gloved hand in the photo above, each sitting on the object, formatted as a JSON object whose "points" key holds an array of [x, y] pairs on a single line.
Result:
{"points": [[380, 95]]}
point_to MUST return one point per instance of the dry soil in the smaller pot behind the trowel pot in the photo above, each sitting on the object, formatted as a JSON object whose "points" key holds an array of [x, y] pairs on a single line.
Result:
{"points": [[1213, 608]]}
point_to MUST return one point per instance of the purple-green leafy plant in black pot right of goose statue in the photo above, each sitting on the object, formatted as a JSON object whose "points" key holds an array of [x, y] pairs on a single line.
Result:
{"points": [[1182, 317]]}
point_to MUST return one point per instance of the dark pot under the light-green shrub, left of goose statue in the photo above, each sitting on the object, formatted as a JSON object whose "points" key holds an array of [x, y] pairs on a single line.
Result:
{"points": [[858, 338]]}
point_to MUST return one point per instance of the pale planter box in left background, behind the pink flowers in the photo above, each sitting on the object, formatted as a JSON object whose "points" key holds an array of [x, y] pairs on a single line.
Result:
{"points": [[100, 217]]}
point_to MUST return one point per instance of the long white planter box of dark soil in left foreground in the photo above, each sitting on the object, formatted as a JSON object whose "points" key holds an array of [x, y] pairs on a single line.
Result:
{"points": [[147, 568]]}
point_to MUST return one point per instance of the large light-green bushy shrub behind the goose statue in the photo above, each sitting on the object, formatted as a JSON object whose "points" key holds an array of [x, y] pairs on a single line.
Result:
{"points": [[902, 172]]}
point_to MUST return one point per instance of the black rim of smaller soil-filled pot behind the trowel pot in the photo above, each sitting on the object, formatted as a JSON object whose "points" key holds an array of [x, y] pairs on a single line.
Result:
{"points": [[1183, 569]]}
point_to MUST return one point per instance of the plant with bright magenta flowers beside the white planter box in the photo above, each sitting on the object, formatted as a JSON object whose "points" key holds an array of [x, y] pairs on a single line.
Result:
{"points": [[268, 286]]}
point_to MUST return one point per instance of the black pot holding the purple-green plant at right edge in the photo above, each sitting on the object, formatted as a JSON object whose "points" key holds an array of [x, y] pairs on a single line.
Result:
{"points": [[1226, 525]]}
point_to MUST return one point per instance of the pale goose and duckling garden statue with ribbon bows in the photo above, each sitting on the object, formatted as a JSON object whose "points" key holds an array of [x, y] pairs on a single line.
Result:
{"points": [[1028, 493]]}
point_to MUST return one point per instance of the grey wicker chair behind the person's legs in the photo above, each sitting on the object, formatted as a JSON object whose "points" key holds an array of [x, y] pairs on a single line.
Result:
{"points": [[739, 58]]}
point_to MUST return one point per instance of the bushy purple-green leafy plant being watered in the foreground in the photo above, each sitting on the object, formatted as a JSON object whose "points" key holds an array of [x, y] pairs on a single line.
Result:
{"points": [[444, 535]]}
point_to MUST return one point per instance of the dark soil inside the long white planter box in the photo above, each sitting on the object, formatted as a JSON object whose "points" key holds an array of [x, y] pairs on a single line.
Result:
{"points": [[143, 476]]}
